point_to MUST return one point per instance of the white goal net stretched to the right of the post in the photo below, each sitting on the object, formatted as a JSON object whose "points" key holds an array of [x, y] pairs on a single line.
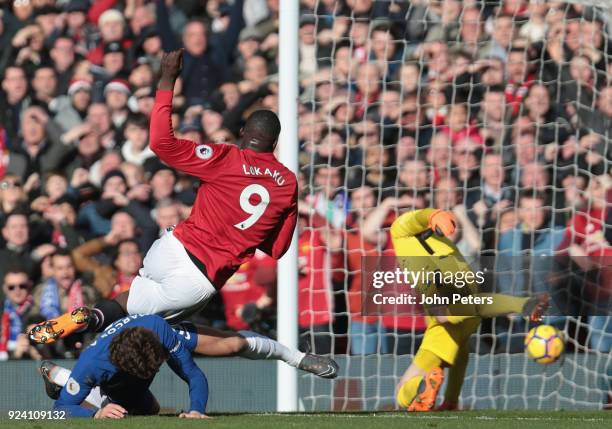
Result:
{"points": [[500, 111]]}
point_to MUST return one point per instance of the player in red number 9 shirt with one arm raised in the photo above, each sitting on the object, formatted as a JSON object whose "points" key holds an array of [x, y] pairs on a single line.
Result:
{"points": [[247, 200]]}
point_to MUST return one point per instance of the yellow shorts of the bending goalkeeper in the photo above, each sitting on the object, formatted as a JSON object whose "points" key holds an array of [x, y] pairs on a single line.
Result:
{"points": [[445, 339]]}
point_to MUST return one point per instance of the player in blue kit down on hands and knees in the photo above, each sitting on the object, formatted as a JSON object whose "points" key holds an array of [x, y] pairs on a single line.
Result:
{"points": [[114, 373]]}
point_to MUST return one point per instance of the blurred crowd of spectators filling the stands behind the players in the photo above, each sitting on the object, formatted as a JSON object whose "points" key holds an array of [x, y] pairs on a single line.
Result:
{"points": [[500, 111]]}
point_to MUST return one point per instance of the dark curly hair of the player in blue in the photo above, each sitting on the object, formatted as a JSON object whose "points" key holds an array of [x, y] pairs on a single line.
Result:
{"points": [[138, 352]]}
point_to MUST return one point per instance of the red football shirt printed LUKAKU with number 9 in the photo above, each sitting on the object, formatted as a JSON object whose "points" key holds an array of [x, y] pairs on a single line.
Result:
{"points": [[246, 201]]}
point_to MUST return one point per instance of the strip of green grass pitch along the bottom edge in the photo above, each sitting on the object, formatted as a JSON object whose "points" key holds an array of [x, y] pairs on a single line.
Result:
{"points": [[386, 420]]}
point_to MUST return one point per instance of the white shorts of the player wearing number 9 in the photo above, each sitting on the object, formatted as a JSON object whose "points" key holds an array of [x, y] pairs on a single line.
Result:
{"points": [[169, 283]]}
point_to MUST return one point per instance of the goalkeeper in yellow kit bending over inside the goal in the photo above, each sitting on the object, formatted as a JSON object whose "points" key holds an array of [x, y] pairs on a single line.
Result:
{"points": [[420, 239]]}
